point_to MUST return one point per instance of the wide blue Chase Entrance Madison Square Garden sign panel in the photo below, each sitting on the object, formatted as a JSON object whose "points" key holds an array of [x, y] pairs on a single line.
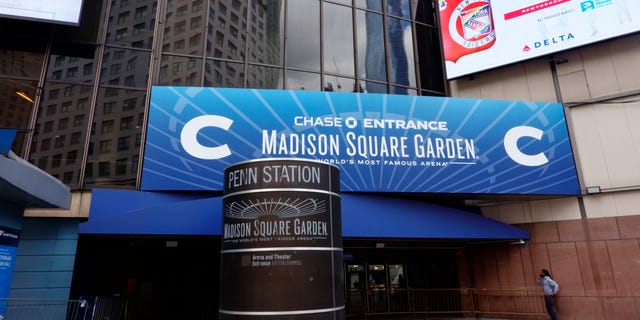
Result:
{"points": [[381, 143]]}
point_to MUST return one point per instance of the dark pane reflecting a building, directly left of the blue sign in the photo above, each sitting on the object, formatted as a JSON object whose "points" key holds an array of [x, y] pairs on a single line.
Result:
{"points": [[115, 138]]}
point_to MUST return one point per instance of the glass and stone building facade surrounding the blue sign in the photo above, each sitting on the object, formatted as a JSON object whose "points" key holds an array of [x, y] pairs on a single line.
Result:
{"points": [[83, 121]]}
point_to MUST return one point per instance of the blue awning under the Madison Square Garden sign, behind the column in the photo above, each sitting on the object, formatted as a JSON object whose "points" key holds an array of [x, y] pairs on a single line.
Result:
{"points": [[366, 216]]}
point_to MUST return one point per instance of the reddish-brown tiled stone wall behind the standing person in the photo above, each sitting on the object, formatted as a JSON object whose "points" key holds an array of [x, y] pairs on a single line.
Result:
{"points": [[596, 263]]}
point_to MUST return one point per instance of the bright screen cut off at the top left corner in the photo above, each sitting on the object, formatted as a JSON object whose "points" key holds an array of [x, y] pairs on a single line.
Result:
{"points": [[58, 11]]}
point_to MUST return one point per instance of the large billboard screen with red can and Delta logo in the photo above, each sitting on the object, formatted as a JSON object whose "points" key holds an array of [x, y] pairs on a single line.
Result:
{"points": [[483, 34]]}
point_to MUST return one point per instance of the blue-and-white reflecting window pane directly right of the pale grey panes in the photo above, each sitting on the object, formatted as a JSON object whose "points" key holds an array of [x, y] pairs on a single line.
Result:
{"points": [[371, 52]]}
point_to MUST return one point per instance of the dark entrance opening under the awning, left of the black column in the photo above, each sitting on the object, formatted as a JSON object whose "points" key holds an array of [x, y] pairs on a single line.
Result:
{"points": [[149, 277]]}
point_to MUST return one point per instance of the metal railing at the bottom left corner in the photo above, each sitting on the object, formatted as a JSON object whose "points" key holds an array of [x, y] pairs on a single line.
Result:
{"points": [[43, 309]]}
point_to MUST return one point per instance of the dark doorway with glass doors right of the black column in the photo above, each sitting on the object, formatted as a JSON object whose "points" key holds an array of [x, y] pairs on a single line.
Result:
{"points": [[383, 278]]}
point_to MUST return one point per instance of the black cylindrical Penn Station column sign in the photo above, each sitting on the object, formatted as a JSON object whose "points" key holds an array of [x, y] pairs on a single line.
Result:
{"points": [[281, 241]]}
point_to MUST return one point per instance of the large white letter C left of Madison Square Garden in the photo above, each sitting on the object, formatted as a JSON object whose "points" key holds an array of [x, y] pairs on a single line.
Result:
{"points": [[189, 141]]}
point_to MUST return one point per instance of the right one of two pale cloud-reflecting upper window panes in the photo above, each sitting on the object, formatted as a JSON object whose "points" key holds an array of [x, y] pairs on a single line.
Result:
{"points": [[338, 40]]}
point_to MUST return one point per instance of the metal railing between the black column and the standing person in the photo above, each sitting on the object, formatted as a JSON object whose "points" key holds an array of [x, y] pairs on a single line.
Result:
{"points": [[465, 303]]}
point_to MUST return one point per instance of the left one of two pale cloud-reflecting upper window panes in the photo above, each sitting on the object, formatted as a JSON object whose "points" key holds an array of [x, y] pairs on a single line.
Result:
{"points": [[303, 35]]}
